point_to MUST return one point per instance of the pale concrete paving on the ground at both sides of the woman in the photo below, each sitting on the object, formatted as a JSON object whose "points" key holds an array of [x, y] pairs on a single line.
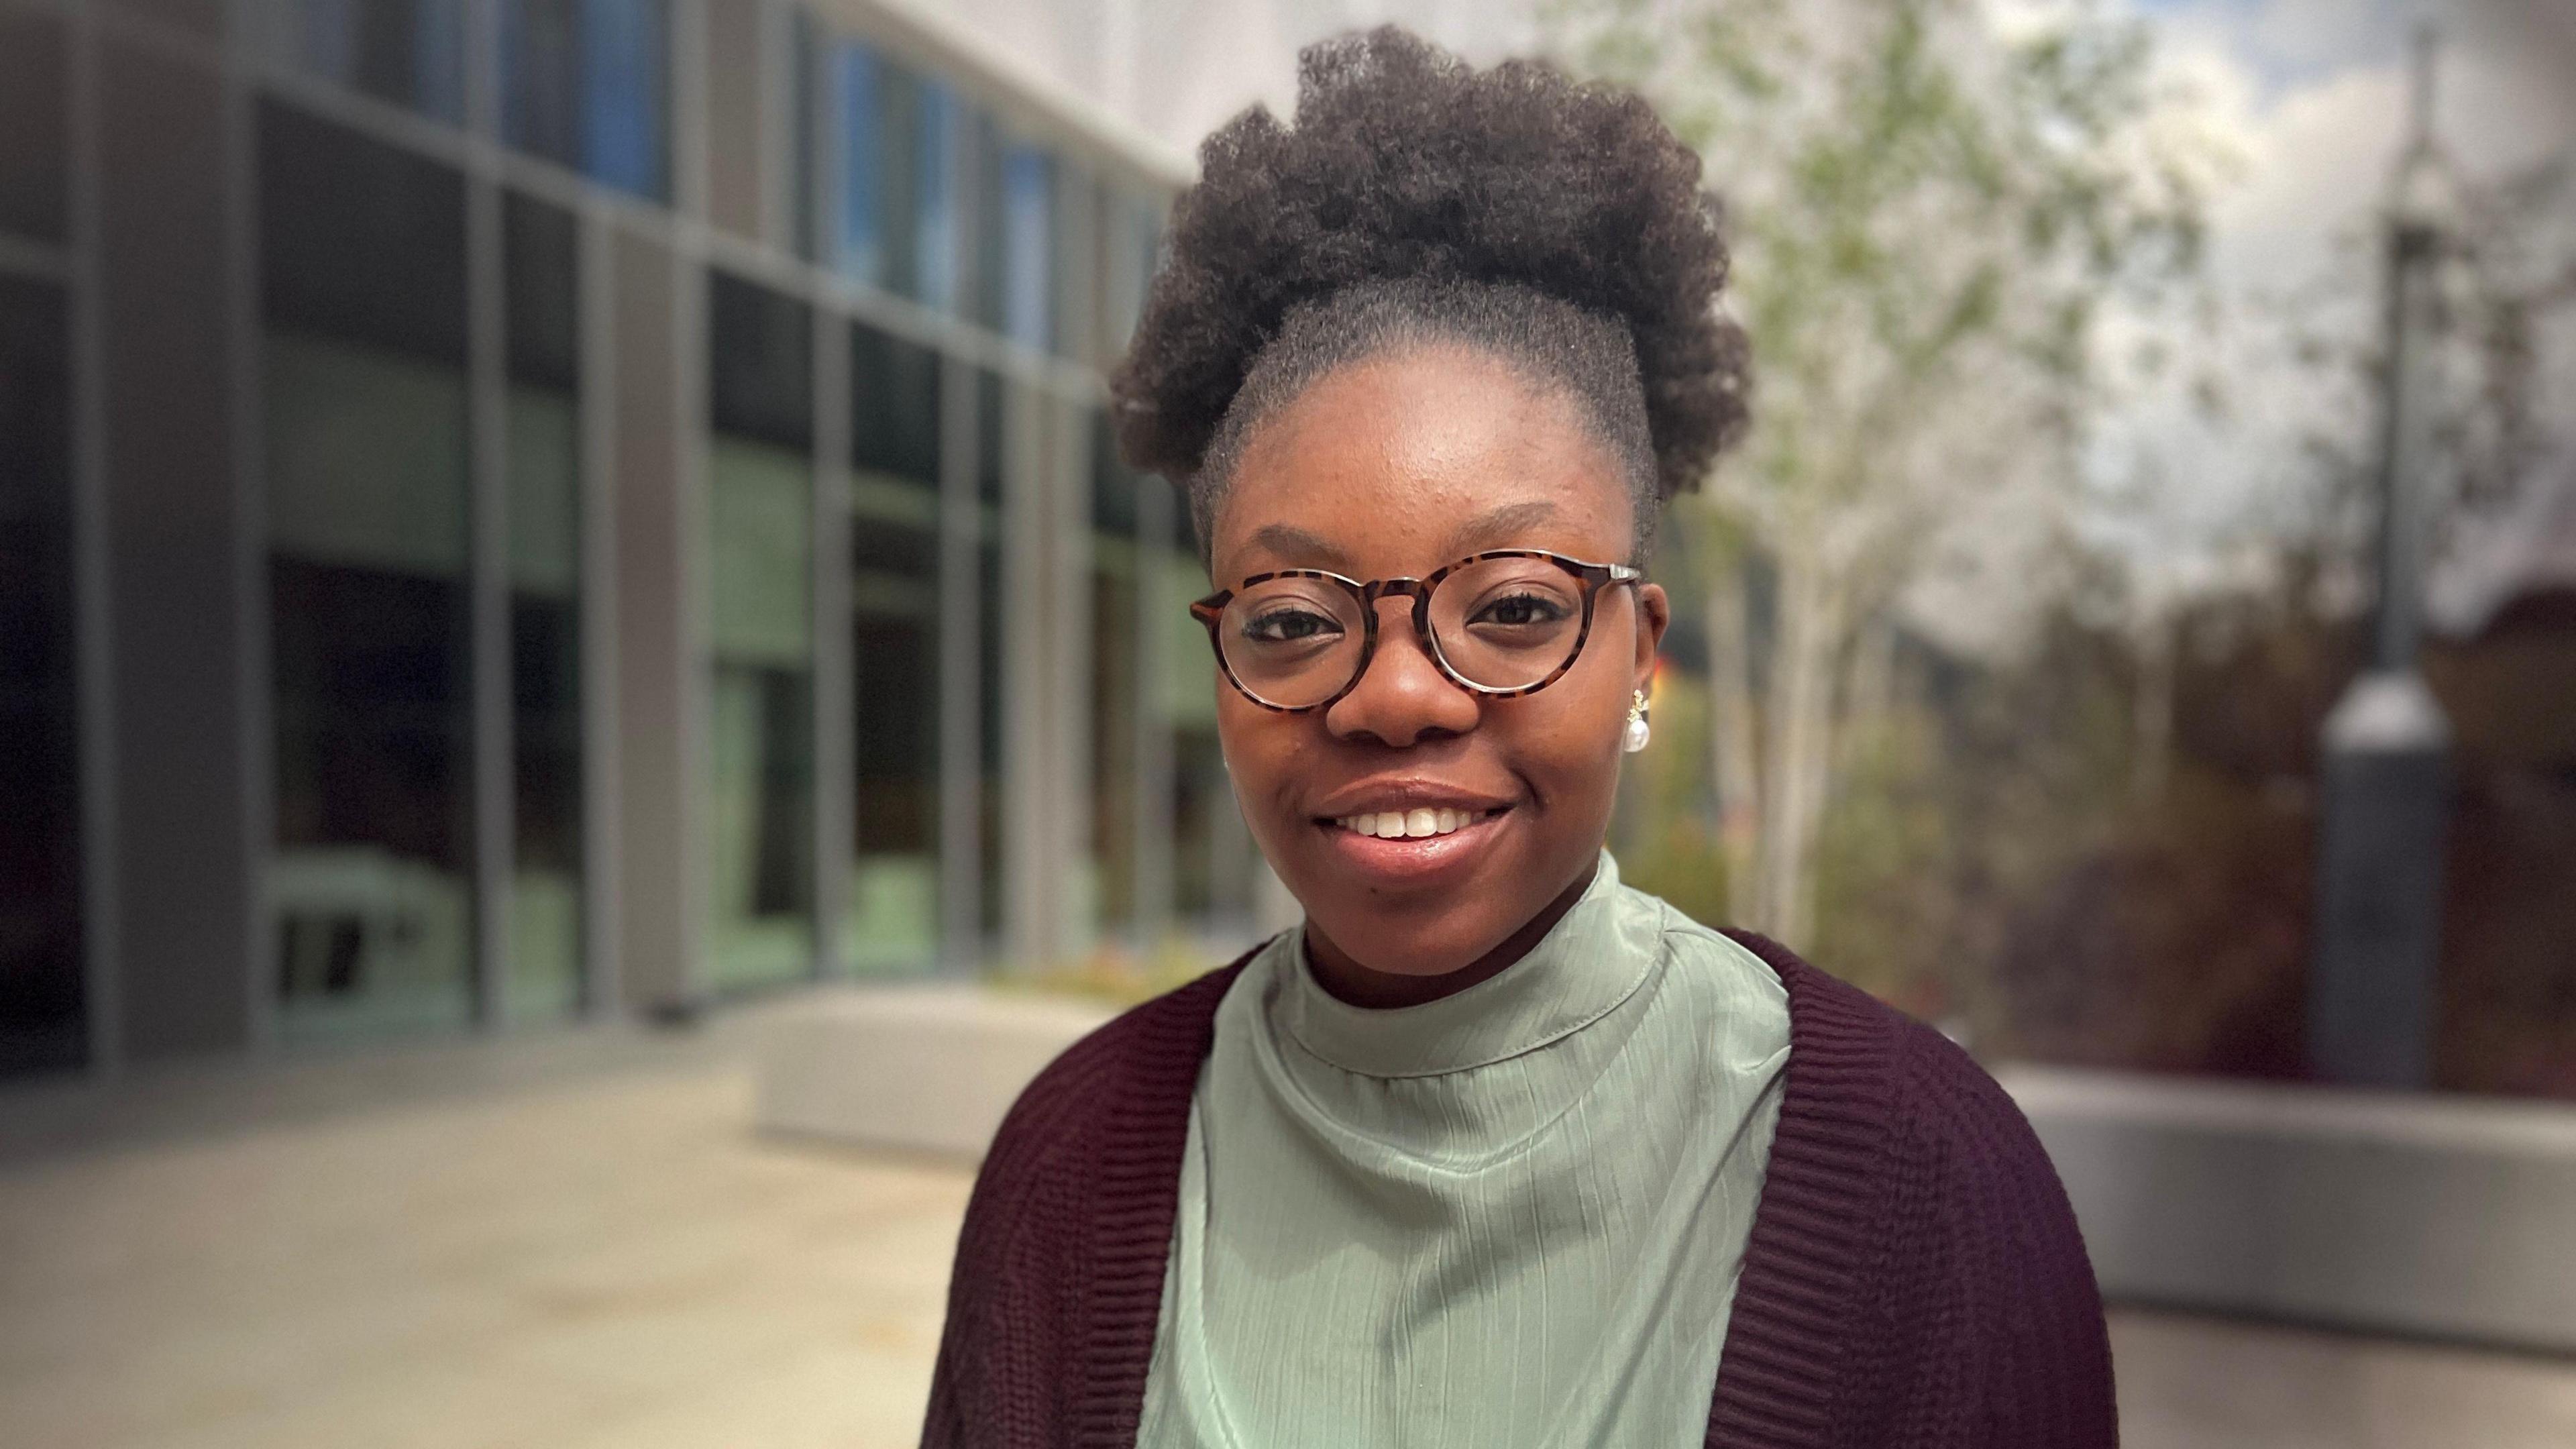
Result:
{"points": [[578, 1244]]}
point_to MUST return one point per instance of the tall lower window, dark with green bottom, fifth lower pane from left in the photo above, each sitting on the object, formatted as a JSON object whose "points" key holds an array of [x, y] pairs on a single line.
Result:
{"points": [[895, 630]]}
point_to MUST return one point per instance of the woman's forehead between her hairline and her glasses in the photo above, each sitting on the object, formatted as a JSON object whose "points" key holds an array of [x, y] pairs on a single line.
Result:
{"points": [[1403, 463]]}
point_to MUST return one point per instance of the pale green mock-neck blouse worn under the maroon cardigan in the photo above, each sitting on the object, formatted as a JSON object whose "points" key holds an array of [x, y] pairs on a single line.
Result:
{"points": [[1501, 1221]]}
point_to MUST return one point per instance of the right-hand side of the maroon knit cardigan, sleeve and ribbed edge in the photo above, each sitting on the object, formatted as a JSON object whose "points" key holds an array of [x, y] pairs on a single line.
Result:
{"points": [[1915, 1275]]}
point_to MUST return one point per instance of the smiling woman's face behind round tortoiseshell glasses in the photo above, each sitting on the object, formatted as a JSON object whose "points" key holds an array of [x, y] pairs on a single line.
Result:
{"points": [[1395, 468]]}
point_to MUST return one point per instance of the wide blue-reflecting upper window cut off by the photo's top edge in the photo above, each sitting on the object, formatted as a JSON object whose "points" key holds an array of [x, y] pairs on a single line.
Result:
{"points": [[586, 84]]}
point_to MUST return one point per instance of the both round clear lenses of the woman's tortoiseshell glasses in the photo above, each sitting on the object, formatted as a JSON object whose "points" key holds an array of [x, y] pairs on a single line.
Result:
{"points": [[1495, 623]]}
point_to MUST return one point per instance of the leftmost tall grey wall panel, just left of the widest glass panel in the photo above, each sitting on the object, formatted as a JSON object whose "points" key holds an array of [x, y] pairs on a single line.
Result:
{"points": [[184, 826]]}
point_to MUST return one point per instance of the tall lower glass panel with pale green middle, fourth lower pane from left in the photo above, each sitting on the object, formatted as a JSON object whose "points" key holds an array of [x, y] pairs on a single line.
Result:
{"points": [[761, 491]]}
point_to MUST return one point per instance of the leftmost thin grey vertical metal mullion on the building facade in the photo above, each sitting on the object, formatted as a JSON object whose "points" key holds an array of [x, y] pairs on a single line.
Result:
{"points": [[94, 625]]}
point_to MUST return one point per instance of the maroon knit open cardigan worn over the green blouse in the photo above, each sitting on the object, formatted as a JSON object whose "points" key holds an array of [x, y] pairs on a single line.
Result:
{"points": [[1913, 1280]]}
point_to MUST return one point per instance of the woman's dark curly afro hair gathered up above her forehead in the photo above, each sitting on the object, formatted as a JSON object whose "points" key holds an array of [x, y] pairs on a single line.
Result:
{"points": [[1555, 223]]}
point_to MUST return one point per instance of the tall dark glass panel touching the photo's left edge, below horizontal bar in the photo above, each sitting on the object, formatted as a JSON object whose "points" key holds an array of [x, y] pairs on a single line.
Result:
{"points": [[43, 1009]]}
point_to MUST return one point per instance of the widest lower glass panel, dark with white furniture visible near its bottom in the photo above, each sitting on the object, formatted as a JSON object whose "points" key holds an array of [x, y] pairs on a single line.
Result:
{"points": [[367, 501]]}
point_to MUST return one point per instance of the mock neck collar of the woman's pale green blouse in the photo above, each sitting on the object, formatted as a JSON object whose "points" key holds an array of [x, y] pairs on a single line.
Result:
{"points": [[1575, 976]]}
